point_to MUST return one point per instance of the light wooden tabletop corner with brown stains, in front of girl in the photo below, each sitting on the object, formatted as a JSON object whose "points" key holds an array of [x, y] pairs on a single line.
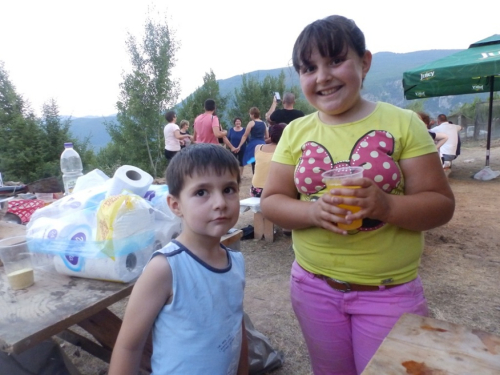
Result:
{"points": [[421, 345]]}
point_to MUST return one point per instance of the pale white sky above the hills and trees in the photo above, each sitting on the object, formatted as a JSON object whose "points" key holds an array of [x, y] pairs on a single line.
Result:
{"points": [[74, 51]]}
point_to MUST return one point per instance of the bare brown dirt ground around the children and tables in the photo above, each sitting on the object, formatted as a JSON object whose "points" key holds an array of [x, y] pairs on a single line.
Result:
{"points": [[460, 268]]}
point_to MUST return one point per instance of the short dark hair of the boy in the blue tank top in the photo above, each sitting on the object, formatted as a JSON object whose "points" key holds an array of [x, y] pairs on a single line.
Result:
{"points": [[199, 158]]}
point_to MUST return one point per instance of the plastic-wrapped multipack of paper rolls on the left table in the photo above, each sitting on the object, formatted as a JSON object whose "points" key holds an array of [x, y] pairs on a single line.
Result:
{"points": [[87, 234]]}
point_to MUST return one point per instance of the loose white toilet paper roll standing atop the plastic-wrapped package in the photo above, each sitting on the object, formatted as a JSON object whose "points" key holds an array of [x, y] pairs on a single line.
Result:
{"points": [[130, 179]]}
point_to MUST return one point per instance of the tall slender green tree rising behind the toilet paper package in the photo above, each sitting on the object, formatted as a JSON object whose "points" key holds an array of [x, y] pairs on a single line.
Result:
{"points": [[145, 94]]}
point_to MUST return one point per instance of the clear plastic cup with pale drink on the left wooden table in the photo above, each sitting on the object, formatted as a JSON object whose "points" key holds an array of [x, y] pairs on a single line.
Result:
{"points": [[17, 262]]}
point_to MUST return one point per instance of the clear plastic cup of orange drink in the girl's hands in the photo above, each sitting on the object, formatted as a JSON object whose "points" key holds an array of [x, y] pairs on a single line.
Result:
{"points": [[333, 180]]}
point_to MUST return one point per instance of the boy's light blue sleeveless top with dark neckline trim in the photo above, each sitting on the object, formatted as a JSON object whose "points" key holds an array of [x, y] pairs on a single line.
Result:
{"points": [[199, 332]]}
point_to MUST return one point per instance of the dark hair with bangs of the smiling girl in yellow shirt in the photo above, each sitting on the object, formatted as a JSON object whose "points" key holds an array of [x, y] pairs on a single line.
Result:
{"points": [[331, 36]]}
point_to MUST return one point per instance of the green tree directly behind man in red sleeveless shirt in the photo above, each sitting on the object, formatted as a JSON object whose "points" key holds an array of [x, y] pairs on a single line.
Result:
{"points": [[193, 105]]}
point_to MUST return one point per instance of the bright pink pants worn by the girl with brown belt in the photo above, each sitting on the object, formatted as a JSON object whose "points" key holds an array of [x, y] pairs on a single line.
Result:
{"points": [[344, 330]]}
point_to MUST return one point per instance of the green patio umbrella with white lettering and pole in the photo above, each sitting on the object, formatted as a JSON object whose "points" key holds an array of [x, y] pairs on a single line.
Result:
{"points": [[470, 71]]}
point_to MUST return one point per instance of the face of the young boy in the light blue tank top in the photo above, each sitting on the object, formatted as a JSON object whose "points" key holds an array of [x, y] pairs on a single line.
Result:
{"points": [[208, 204]]}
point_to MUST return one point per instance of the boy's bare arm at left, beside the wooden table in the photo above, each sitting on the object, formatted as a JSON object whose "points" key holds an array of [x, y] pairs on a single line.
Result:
{"points": [[151, 292]]}
